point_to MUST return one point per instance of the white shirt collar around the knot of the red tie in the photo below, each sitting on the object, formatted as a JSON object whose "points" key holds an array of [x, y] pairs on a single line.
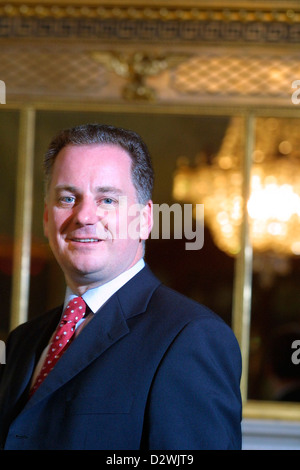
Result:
{"points": [[97, 296]]}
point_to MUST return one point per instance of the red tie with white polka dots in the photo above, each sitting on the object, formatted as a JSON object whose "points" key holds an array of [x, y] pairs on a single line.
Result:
{"points": [[62, 337]]}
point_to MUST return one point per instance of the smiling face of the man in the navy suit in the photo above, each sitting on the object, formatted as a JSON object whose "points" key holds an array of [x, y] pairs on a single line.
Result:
{"points": [[85, 211]]}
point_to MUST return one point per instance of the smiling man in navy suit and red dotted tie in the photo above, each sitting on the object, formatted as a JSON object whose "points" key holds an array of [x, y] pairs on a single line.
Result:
{"points": [[147, 368]]}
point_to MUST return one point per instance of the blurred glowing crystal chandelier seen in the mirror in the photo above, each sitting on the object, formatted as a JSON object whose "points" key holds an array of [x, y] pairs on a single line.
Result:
{"points": [[274, 203]]}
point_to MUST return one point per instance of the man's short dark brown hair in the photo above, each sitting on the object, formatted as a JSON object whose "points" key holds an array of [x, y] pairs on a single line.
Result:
{"points": [[141, 170]]}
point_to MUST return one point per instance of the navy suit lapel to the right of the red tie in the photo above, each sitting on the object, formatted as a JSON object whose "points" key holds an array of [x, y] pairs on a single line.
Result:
{"points": [[107, 327]]}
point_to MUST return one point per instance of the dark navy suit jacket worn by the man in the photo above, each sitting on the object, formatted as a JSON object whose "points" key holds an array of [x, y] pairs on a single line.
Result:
{"points": [[152, 370]]}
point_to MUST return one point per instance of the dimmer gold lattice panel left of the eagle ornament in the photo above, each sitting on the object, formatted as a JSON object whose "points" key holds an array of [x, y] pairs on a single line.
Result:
{"points": [[50, 72]]}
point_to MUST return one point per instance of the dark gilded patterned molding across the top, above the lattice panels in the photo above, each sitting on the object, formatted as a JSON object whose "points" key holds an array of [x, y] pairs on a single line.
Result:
{"points": [[165, 22]]}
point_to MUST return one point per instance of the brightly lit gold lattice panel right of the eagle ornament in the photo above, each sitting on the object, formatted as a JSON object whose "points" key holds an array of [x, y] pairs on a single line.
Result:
{"points": [[238, 75]]}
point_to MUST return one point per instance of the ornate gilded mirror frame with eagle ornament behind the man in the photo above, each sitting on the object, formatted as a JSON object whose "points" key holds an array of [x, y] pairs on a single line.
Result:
{"points": [[193, 57]]}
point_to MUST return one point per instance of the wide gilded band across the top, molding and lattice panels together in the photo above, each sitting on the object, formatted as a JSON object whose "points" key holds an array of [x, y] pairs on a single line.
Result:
{"points": [[67, 32]]}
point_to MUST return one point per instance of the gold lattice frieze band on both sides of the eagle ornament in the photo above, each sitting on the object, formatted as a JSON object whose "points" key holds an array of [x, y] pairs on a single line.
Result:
{"points": [[70, 71]]}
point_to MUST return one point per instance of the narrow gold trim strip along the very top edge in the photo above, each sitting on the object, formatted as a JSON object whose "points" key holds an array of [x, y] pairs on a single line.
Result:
{"points": [[166, 10]]}
